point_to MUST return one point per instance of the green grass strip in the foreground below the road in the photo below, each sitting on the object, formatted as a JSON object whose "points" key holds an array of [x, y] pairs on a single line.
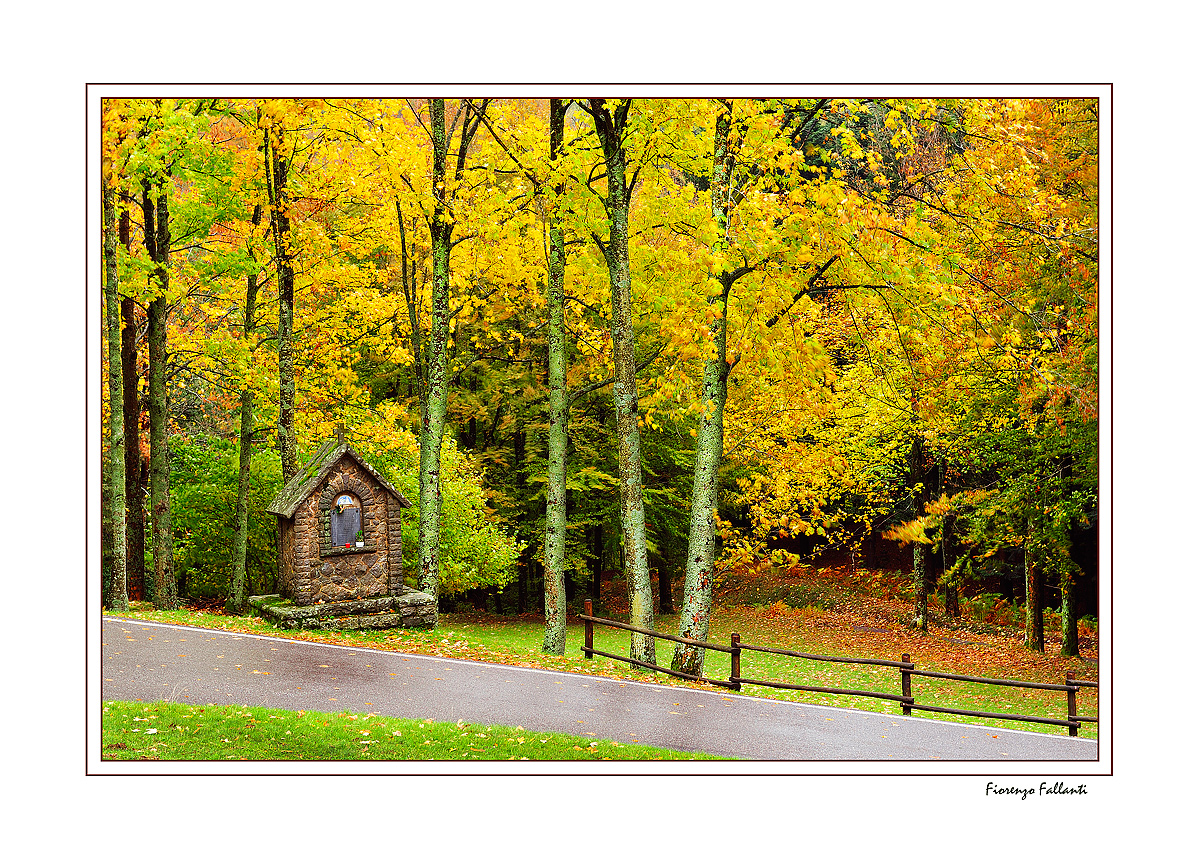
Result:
{"points": [[160, 731]]}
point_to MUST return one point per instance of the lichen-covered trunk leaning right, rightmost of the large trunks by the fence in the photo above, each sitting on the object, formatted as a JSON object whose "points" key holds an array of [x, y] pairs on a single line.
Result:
{"points": [[698, 587]]}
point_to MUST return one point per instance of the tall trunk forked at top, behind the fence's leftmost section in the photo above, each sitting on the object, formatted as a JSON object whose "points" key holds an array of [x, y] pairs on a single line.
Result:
{"points": [[610, 129]]}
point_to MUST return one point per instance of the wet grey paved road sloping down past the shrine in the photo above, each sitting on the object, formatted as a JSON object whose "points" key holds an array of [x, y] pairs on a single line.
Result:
{"points": [[145, 662]]}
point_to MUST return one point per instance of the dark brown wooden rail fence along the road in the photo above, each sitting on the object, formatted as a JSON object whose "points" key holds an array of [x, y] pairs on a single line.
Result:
{"points": [[908, 671]]}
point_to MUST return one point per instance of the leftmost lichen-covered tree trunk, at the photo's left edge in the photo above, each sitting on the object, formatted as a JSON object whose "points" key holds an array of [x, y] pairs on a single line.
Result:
{"points": [[118, 592]]}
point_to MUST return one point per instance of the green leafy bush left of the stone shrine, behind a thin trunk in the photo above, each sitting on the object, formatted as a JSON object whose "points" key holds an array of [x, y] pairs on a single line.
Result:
{"points": [[203, 506]]}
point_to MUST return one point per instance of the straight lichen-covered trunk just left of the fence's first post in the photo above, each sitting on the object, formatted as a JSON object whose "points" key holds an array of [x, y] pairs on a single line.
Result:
{"points": [[556, 479]]}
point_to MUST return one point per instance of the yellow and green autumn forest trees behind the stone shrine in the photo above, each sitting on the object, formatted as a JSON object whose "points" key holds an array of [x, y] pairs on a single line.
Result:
{"points": [[662, 337]]}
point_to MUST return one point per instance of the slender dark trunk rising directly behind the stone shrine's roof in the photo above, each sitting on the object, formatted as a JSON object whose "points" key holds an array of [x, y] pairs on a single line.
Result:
{"points": [[281, 230]]}
